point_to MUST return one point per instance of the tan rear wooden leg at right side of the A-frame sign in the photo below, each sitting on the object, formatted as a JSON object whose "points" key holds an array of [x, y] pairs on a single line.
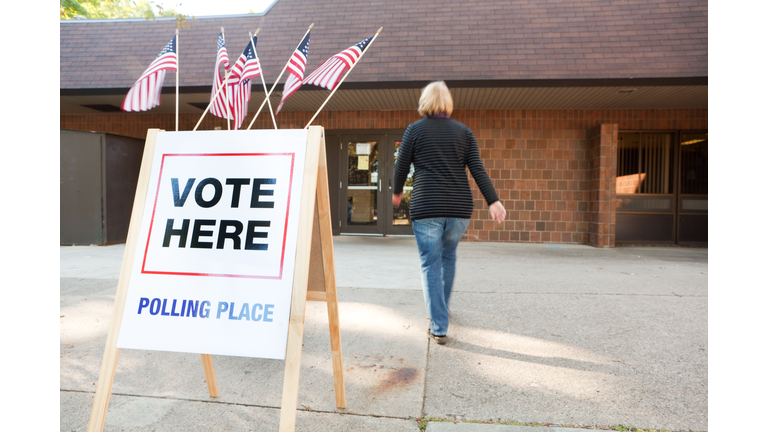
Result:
{"points": [[329, 270]]}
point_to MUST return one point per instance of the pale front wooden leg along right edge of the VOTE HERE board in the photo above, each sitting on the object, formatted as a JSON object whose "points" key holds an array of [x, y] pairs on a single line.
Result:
{"points": [[300, 280]]}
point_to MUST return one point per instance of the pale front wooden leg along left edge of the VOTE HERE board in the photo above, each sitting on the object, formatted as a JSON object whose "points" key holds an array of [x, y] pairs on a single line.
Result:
{"points": [[109, 361]]}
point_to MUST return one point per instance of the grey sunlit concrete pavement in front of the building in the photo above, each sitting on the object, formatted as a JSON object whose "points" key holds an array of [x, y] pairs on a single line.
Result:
{"points": [[557, 336]]}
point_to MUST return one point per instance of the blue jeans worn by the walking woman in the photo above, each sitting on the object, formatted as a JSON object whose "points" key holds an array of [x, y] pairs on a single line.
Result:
{"points": [[437, 239]]}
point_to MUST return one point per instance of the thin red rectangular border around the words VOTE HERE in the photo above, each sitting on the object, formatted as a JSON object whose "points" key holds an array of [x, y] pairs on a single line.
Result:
{"points": [[285, 229]]}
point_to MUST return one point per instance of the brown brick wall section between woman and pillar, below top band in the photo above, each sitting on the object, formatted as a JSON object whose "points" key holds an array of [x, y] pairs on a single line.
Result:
{"points": [[541, 178]]}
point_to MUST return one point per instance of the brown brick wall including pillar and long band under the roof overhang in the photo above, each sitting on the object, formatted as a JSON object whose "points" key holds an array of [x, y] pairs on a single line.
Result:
{"points": [[549, 167]]}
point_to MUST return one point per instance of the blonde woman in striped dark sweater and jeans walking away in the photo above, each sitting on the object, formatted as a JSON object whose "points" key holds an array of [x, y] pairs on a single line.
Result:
{"points": [[441, 204]]}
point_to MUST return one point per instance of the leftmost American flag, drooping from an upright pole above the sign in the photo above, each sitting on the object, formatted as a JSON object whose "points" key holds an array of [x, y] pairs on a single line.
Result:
{"points": [[145, 93]]}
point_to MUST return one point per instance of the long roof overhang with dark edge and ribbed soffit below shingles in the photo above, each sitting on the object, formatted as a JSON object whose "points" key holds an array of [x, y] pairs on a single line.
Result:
{"points": [[643, 93]]}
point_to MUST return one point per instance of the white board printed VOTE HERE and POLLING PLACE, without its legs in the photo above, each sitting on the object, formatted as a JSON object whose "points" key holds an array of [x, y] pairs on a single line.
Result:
{"points": [[213, 270]]}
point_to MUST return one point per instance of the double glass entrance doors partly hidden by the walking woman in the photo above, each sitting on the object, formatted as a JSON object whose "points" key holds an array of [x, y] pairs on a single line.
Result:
{"points": [[367, 162]]}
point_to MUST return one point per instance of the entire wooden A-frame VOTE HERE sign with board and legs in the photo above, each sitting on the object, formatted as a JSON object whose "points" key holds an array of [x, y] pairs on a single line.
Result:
{"points": [[242, 220]]}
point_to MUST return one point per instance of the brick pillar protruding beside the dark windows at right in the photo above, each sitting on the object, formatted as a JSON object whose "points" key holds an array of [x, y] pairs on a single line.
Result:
{"points": [[603, 144]]}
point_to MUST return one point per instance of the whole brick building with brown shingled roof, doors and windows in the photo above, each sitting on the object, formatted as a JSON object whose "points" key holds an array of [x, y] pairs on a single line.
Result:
{"points": [[591, 116]]}
